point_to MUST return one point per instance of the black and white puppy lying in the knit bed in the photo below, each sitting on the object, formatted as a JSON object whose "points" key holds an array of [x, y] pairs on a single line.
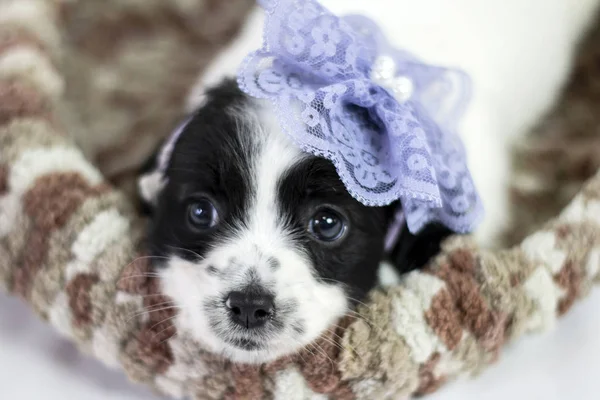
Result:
{"points": [[260, 245]]}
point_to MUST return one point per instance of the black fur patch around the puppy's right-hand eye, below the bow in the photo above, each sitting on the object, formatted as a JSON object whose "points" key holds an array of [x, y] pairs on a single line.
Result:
{"points": [[353, 260]]}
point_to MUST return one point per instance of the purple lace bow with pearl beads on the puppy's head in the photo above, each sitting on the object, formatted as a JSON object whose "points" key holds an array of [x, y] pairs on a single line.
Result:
{"points": [[386, 120]]}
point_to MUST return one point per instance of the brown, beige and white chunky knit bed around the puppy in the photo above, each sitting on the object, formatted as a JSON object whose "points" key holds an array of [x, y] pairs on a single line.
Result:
{"points": [[70, 242]]}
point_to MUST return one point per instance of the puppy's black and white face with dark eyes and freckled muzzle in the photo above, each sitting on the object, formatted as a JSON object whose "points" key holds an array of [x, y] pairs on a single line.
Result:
{"points": [[262, 247]]}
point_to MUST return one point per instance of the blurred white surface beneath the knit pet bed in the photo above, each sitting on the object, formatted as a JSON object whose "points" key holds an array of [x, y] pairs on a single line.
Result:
{"points": [[36, 364]]}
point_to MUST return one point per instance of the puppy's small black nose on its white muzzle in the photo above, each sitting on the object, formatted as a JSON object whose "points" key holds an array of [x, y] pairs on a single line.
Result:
{"points": [[250, 309]]}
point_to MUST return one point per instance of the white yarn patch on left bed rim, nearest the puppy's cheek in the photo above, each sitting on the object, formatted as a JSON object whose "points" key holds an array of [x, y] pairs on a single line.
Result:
{"points": [[107, 227]]}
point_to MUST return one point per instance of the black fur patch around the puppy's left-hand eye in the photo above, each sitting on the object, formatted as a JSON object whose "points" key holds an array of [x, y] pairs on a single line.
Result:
{"points": [[208, 159]]}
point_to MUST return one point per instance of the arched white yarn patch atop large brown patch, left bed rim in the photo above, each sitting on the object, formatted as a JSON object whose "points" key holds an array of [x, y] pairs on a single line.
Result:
{"points": [[35, 163]]}
